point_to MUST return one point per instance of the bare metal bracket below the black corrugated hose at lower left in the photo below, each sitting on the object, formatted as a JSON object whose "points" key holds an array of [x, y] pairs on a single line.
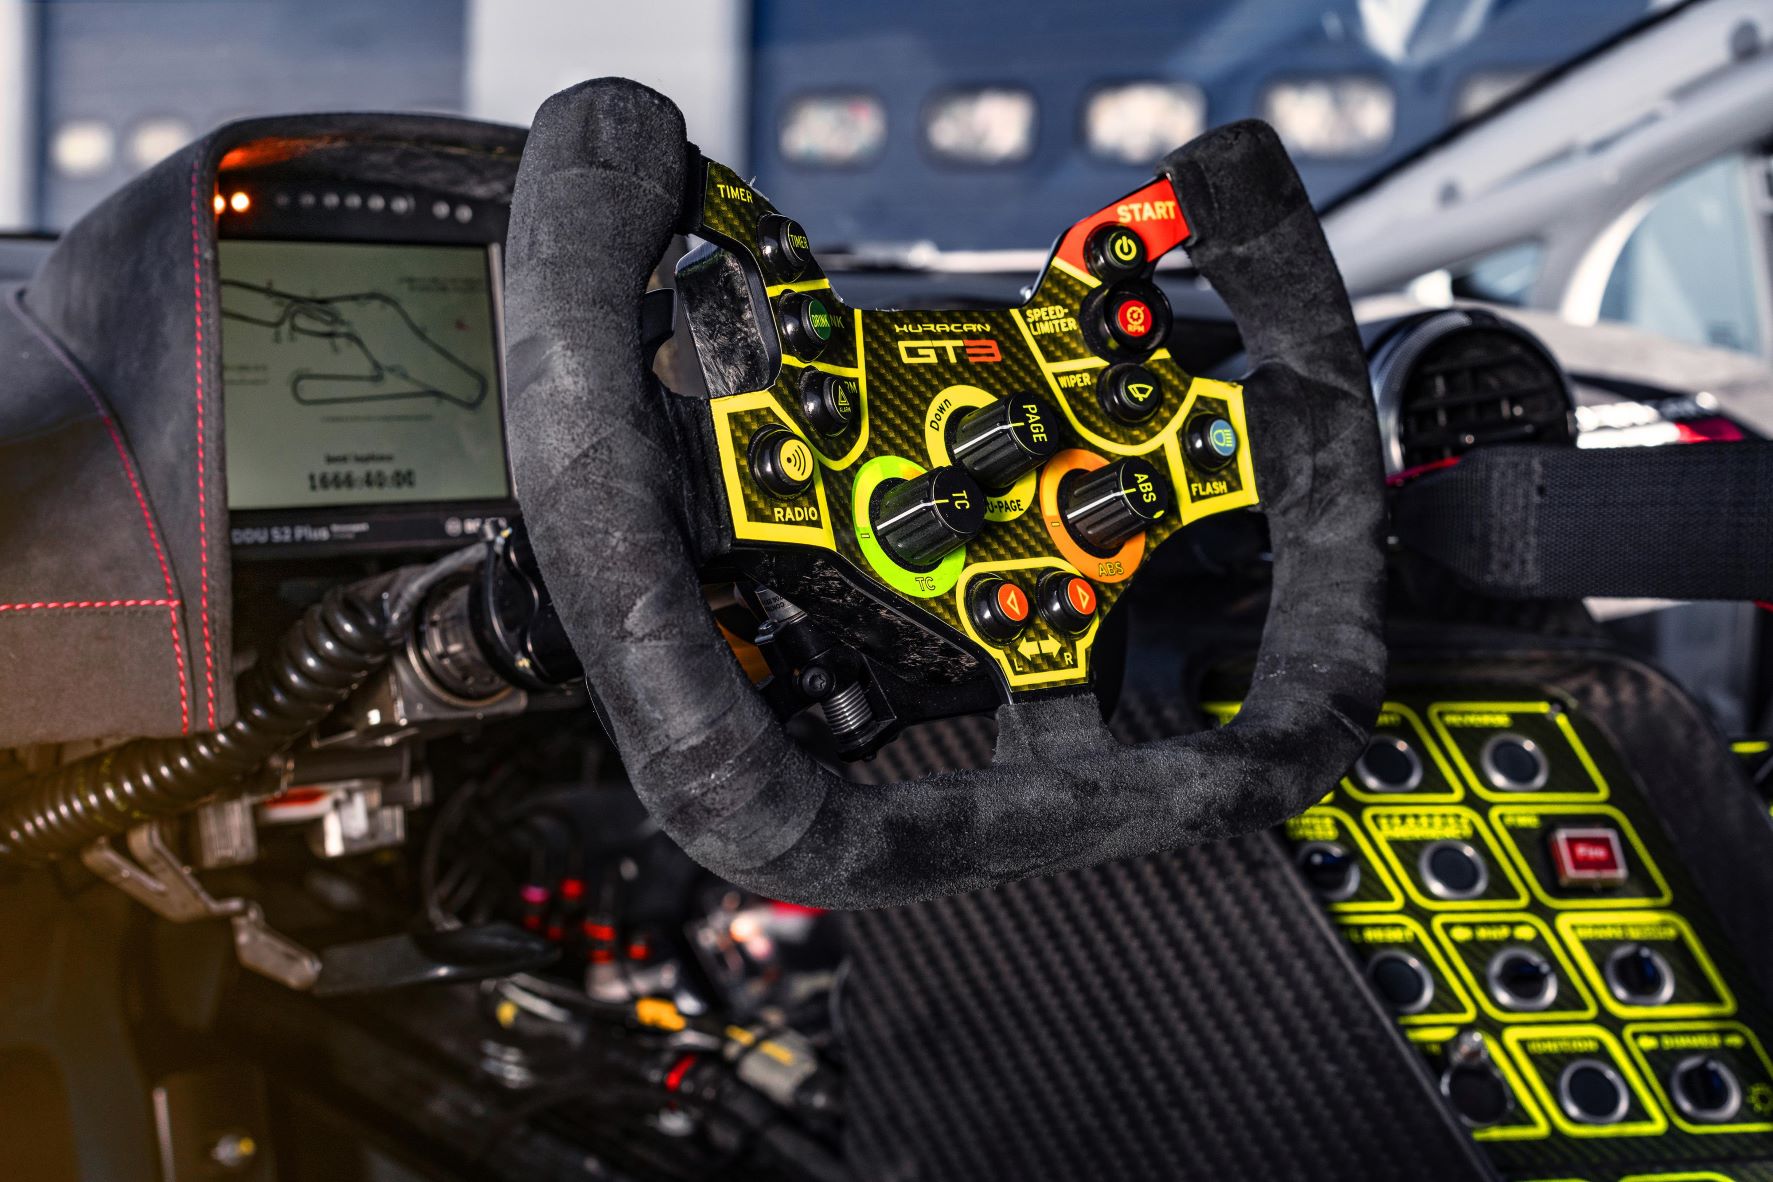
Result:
{"points": [[162, 883]]}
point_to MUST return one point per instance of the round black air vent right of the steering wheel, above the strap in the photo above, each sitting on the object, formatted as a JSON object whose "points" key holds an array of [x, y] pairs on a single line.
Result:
{"points": [[1464, 378]]}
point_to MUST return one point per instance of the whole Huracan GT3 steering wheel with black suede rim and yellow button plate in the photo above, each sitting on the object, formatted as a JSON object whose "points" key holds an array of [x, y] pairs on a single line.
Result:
{"points": [[939, 488]]}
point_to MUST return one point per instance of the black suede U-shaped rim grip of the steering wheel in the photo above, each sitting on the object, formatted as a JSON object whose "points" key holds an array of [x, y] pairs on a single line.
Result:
{"points": [[600, 192]]}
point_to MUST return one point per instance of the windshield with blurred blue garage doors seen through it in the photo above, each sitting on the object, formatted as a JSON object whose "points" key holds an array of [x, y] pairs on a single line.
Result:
{"points": [[967, 127]]}
